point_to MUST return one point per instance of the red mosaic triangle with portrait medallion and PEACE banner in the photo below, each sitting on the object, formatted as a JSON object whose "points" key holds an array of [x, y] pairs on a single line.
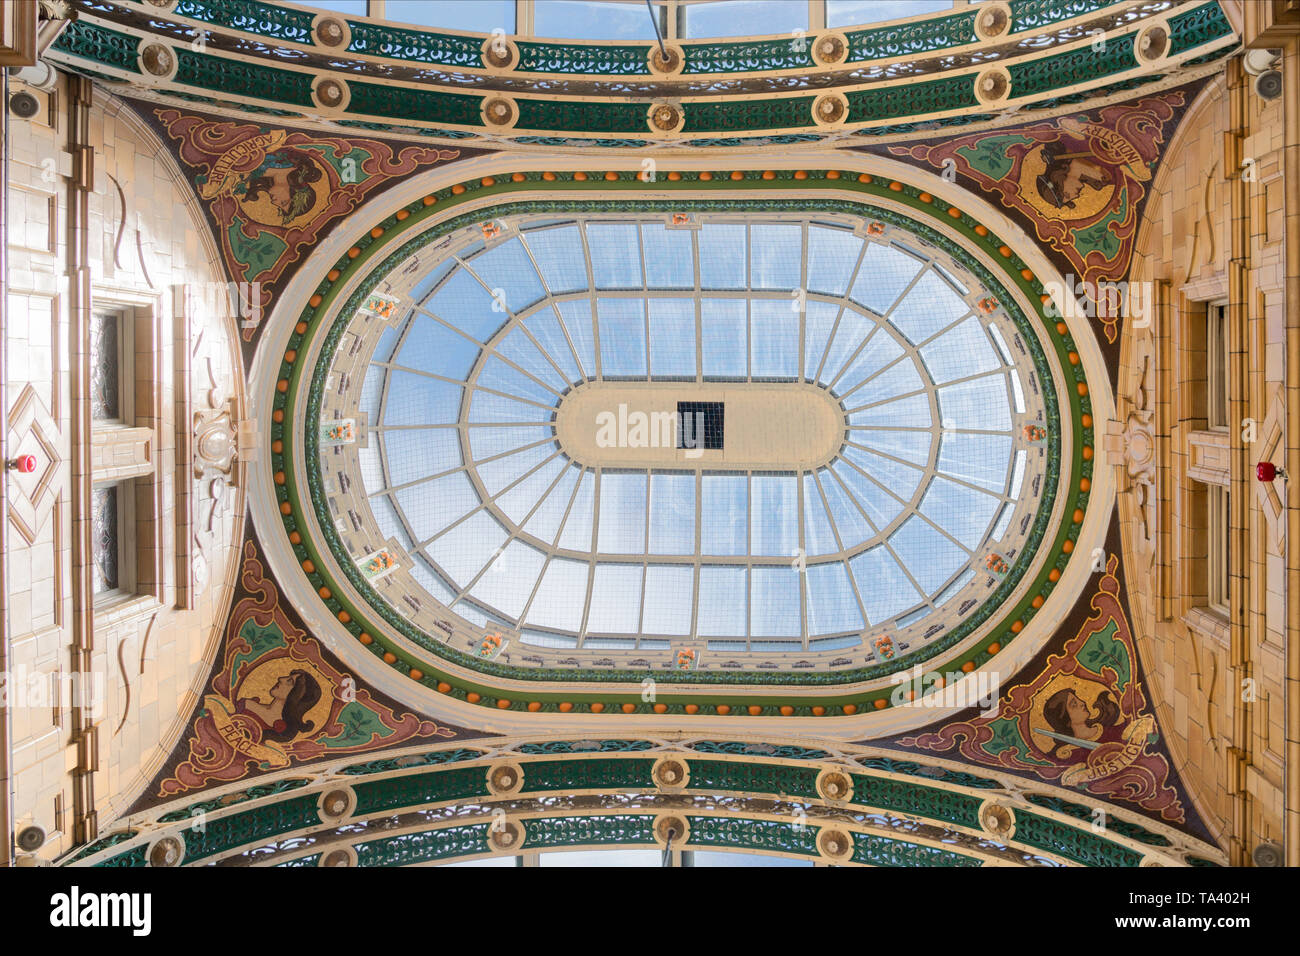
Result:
{"points": [[278, 699]]}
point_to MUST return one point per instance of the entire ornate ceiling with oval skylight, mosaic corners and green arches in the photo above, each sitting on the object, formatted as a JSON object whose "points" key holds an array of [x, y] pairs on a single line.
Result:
{"points": [[456, 574]]}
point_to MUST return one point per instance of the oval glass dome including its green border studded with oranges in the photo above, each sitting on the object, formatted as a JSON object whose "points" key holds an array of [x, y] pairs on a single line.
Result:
{"points": [[783, 444]]}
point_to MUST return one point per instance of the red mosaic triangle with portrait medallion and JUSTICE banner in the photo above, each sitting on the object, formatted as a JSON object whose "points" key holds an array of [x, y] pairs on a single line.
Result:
{"points": [[1084, 721]]}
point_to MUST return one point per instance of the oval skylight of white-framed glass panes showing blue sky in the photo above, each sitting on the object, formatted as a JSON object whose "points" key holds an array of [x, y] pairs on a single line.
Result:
{"points": [[505, 525]]}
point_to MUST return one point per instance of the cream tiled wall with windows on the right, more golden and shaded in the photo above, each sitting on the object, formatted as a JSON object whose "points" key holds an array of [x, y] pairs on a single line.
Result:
{"points": [[1227, 736]]}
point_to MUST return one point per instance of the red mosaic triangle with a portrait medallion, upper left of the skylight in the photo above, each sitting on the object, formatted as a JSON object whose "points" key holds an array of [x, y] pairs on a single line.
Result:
{"points": [[272, 194]]}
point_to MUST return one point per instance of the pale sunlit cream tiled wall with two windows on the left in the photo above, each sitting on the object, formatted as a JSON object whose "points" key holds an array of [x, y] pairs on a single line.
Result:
{"points": [[146, 244]]}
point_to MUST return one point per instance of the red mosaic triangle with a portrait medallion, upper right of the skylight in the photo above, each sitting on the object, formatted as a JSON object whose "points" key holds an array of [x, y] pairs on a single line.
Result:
{"points": [[1080, 181]]}
